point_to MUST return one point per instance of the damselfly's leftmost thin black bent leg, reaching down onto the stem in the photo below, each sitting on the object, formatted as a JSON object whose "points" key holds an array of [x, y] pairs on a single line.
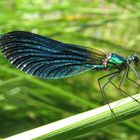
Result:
{"points": [[111, 76]]}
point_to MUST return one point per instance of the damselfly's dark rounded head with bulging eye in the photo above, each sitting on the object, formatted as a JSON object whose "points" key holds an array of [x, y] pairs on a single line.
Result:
{"points": [[135, 59]]}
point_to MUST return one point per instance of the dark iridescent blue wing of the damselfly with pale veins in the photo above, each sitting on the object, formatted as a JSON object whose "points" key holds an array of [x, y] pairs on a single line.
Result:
{"points": [[47, 58]]}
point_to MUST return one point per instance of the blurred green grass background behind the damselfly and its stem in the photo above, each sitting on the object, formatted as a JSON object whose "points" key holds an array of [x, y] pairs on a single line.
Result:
{"points": [[27, 102]]}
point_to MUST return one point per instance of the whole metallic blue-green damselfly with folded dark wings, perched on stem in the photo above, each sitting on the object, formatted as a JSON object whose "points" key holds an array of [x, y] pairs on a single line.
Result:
{"points": [[47, 58]]}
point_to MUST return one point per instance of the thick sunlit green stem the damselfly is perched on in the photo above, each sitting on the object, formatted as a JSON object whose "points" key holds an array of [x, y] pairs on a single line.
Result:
{"points": [[86, 122]]}
